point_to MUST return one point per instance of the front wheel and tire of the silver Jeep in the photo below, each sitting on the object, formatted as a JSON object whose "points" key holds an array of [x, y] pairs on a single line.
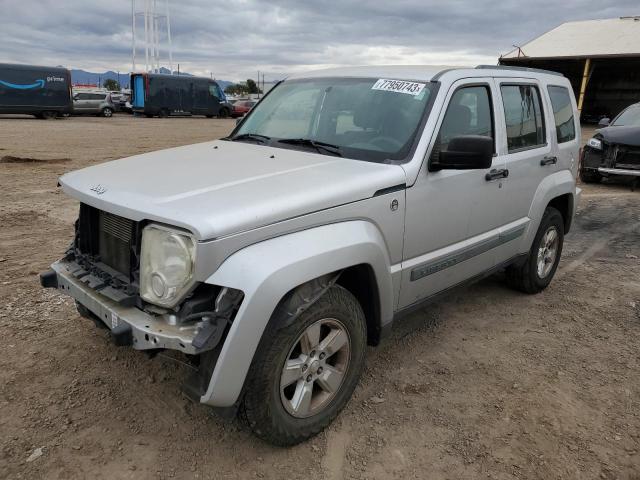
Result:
{"points": [[305, 371]]}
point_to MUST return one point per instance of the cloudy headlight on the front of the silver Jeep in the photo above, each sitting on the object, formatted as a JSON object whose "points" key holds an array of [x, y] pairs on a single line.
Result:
{"points": [[166, 265]]}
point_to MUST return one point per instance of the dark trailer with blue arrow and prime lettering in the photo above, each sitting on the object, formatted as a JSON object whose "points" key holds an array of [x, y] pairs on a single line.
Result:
{"points": [[41, 91]]}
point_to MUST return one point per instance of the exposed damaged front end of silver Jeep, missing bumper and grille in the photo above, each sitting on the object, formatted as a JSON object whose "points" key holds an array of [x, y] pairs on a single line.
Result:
{"points": [[101, 271]]}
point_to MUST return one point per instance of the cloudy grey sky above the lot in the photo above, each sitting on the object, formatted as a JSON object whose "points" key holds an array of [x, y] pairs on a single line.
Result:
{"points": [[236, 38]]}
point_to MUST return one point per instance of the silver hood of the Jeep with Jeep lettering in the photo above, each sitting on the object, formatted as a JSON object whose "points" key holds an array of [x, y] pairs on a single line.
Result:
{"points": [[220, 188]]}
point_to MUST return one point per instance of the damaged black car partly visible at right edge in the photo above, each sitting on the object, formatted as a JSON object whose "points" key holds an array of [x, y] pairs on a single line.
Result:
{"points": [[614, 149]]}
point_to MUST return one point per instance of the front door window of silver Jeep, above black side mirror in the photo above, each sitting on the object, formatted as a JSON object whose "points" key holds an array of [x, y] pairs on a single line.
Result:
{"points": [[469, 113]]}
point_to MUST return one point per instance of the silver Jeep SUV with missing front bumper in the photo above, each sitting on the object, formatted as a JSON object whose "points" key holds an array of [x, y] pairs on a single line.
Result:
{"points": [[344, 200]]}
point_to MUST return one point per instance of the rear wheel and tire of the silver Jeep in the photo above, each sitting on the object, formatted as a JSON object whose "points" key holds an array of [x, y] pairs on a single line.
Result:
{"points": [[536, 273]]}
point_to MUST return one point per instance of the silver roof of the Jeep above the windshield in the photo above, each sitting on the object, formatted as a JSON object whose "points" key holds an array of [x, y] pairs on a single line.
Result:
{"points": [[425, 73]]}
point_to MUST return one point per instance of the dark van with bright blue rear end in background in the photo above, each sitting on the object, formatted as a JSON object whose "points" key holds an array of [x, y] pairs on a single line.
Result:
{"points": [[155, 94]]}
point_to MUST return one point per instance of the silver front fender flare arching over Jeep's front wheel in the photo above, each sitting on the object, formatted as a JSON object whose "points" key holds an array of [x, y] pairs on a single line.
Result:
{"points": [[268, 270]]}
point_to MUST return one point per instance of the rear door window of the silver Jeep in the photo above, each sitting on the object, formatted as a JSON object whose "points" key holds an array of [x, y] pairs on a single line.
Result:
{"points": [[523, 116]]}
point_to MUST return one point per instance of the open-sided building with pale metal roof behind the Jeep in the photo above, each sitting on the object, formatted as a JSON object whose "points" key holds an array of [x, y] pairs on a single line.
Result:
{"points": [[601, 58]]}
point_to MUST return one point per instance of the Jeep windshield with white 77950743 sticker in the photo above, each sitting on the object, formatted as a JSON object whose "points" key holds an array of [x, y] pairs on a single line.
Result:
{"points": [[362, 118]]}
